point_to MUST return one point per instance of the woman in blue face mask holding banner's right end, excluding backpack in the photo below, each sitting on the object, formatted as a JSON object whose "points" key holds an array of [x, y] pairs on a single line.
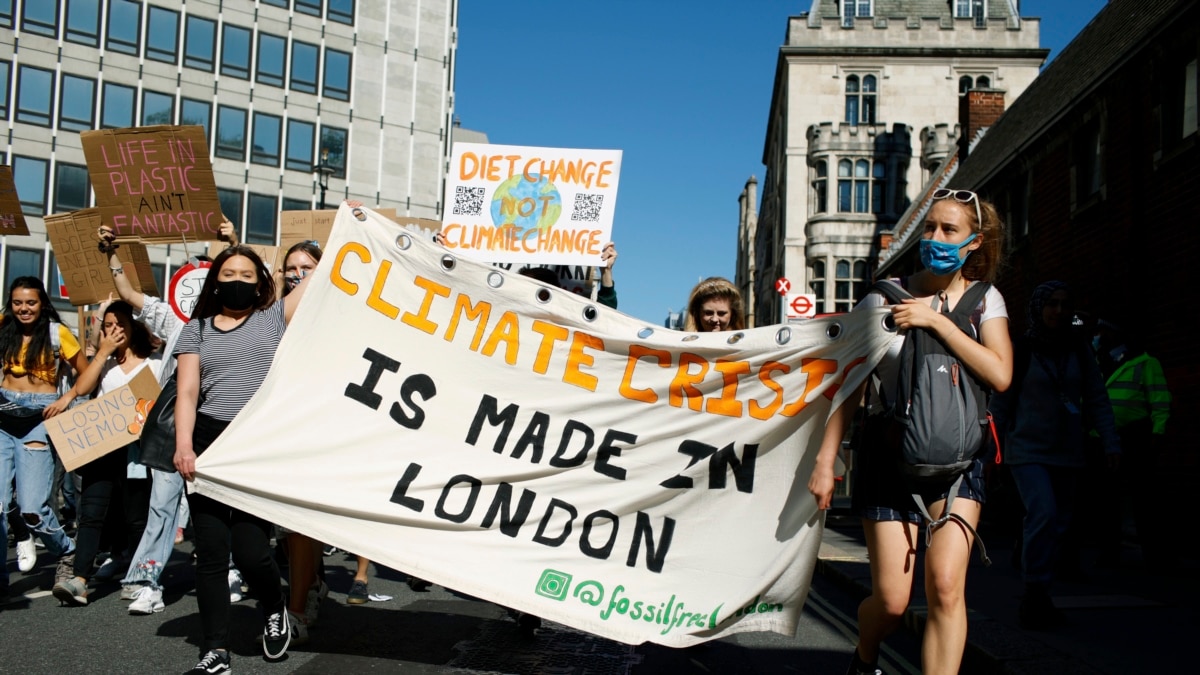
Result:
{"points": [[961, 246]]}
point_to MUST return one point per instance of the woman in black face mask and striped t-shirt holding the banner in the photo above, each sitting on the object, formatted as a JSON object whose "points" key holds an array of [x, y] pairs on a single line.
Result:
{"points": [[224, 355]]}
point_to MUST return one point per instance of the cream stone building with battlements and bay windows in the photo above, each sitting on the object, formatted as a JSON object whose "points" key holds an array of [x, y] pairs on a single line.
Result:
{"points": [[865, 109]]}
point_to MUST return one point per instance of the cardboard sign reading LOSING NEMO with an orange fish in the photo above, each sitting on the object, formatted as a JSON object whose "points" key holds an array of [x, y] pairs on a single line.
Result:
{"points": [[99, 427]]}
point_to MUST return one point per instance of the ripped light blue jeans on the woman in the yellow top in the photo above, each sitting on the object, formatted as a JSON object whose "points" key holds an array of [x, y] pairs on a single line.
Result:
{"points": [[33, 468]]}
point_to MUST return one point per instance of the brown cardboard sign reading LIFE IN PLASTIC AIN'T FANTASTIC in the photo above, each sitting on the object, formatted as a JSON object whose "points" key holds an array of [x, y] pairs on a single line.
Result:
{"points": [[154, 183]]}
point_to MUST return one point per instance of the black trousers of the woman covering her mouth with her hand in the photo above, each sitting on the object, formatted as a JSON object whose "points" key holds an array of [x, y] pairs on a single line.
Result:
{"points": [[105, 485]]}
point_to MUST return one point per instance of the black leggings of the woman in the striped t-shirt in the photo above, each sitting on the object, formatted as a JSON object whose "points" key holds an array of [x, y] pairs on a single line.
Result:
{"points": [[221, 530]]}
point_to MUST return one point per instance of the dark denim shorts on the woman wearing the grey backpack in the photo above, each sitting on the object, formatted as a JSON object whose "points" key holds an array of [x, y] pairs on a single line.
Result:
{"points": [[880, 493]]}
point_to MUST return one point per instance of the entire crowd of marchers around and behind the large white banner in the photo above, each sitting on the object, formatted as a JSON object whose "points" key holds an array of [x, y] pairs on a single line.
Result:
{"points": [[1061, 402]]}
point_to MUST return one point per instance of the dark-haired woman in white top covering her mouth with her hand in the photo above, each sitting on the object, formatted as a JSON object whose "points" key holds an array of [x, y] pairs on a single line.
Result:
{"points": [[125, 350]]}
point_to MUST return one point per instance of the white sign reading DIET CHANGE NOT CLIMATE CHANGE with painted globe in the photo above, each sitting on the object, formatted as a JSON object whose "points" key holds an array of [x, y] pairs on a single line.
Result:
{"points": [[515, 205]]}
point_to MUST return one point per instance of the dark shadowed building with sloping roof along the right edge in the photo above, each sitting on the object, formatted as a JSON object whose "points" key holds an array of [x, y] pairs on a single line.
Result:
{"points": [[1094, 171]]}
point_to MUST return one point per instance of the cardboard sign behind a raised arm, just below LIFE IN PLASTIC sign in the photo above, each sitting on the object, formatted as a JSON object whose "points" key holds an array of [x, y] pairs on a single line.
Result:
{"points": [[85, 268]]}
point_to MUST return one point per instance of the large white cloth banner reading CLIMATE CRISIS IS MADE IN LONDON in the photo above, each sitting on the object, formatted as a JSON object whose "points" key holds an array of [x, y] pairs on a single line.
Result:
{"points": [[530, 447]]}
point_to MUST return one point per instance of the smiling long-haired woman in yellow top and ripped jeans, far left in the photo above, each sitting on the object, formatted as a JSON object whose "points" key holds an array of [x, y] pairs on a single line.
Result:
{"points": [[33, 343]]}
